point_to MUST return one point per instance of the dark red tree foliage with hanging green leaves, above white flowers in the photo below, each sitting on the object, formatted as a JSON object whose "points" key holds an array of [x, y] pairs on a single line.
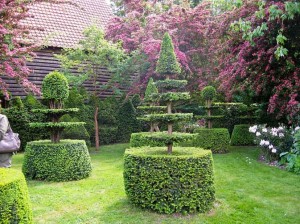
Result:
{"points": [[260, 53]]}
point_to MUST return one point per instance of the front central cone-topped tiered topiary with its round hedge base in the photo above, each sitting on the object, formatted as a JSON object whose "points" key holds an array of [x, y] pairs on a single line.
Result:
{"points": [[169, 181]]}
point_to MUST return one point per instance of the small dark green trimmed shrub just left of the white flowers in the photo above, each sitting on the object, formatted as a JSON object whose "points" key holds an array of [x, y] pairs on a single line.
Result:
{"points": [[241, 135]]}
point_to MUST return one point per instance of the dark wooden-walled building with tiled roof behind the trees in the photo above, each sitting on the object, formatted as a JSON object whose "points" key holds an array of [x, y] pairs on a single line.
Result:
{"points": [[58, 26]]}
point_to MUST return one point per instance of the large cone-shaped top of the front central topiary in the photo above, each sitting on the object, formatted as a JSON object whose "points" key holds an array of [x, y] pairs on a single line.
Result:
{"points": [[167, 63]]}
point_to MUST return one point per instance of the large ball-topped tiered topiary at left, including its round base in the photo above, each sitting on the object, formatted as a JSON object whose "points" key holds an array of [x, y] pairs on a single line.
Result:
{"points": [[62, 160]]}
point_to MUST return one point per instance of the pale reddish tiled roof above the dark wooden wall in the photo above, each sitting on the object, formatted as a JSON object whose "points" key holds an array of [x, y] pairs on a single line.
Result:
{"points": [[61, 25]]}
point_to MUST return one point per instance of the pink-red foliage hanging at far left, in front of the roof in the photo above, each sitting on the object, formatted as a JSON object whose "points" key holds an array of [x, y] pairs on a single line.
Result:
{"points": [[15, 47]]}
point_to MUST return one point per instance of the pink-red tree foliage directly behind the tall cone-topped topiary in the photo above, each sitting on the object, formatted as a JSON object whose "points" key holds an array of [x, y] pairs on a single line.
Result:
{"points": [[144, 24]]}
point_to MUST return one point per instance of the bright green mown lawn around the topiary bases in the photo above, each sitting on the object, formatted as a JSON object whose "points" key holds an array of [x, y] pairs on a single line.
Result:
{"points": [[246, 191]]}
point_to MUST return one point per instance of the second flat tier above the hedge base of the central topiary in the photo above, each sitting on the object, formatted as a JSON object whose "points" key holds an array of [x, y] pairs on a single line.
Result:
{"points": [[169, 118]]}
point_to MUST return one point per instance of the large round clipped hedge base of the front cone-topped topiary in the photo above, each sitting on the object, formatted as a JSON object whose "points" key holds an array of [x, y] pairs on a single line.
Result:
{"points": [[182, 182]]}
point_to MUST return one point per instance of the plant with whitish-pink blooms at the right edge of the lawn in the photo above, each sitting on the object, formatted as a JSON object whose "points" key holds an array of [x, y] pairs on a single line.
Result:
{"points": [[273, 140]]}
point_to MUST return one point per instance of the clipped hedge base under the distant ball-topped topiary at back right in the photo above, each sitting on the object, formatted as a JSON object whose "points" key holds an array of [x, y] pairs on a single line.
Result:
{"points": [[215, 139]]}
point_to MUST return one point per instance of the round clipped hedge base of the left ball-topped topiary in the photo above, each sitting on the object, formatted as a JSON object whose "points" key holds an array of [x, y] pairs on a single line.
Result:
{"points": [[64, 161]]}
